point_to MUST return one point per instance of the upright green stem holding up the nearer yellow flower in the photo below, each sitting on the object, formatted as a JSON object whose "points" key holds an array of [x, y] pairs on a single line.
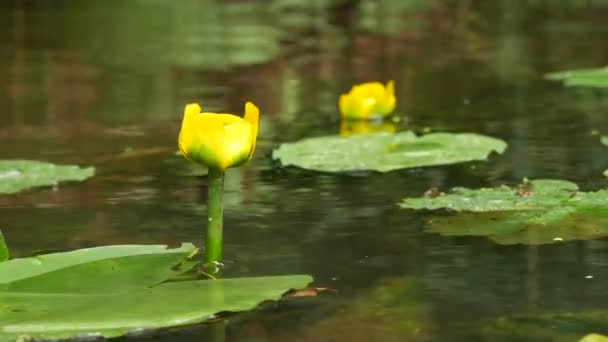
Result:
{"points": [[215, 219]]}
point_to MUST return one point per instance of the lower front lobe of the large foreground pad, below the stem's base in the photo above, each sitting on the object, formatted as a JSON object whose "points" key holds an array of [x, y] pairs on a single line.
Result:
{"points": [[65, 315]]}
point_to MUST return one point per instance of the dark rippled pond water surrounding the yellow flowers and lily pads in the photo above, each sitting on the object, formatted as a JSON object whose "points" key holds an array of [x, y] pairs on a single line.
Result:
{"points": [[83, 81]]}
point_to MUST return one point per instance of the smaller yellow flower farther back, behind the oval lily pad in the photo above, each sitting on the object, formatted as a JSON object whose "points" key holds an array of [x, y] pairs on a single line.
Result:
{"points": [[368, 100]]}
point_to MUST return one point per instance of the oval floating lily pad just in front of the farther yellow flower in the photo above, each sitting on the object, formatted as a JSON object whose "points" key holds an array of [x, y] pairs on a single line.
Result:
{"points": [[385, 152]]}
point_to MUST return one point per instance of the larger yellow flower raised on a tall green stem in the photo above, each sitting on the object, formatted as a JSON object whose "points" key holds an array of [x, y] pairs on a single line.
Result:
{"points": [[216, 140]]}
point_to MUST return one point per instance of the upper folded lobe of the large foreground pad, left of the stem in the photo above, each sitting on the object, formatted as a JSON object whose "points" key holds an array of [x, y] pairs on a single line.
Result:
{"points": [[98, 269]]}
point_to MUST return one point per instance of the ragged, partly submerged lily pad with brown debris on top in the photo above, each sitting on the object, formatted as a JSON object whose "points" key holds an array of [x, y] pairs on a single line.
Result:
{"points": [[538, 212]]}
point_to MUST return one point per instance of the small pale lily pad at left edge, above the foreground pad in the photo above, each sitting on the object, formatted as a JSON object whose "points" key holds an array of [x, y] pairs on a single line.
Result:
{"points": [[18, 175]]}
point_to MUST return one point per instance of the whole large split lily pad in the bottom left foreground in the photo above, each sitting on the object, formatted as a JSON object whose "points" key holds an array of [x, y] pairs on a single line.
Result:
{"points": [[111, 291]]}
